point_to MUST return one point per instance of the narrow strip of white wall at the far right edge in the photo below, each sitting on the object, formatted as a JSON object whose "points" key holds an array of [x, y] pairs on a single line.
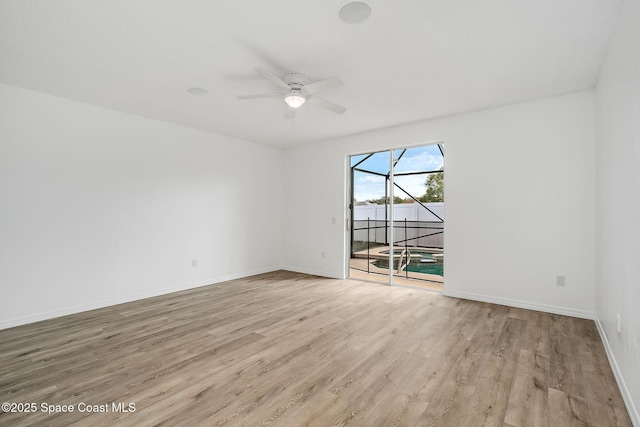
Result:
{"points": [[618, 203]]}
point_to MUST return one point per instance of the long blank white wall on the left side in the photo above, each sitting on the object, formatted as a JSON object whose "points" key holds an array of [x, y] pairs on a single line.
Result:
{"points": [[99, 207]]}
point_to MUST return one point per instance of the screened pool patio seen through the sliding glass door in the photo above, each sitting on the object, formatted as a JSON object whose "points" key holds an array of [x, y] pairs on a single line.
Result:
{"points": [[397, 212]]}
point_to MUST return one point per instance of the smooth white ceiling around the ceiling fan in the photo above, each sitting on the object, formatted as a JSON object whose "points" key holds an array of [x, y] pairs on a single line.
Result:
{"points": [[412, 60]]}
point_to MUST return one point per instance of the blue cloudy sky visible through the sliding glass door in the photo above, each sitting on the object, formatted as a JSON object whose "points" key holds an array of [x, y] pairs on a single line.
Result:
{"points": [[369, 186]]}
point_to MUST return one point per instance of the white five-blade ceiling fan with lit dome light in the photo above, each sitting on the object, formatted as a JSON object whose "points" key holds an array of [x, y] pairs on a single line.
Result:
{"points": [[296, 90]]}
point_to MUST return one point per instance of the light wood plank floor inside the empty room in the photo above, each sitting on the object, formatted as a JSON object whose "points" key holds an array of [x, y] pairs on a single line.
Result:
{"points": [[289, 349]]}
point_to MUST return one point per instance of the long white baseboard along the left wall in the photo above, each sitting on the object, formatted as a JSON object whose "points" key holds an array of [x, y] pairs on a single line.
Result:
{"points": [[9, 323]]}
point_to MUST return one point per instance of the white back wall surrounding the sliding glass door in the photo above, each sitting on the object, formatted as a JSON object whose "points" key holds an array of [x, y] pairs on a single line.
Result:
{"points": [[520, 159]]}
